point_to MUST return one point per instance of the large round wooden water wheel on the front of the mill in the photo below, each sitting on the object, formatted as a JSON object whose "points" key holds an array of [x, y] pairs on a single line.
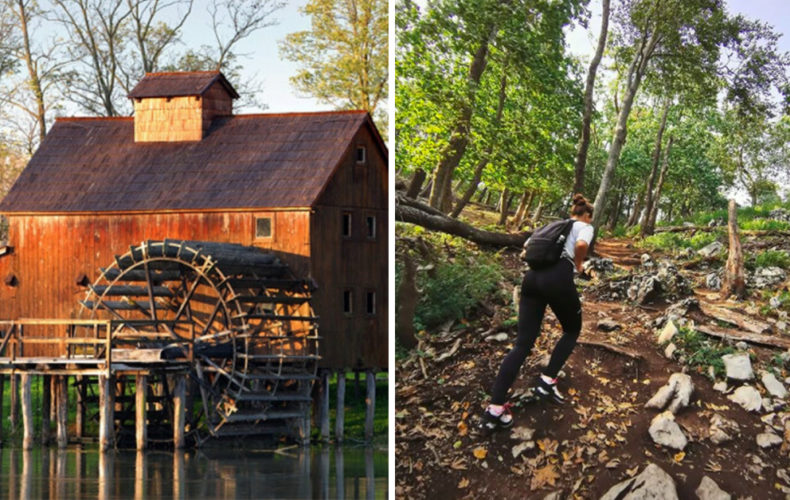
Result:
{"points": [[234, 315]]}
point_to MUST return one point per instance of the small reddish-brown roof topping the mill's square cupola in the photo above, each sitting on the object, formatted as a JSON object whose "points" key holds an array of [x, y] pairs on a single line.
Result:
{"points": [[182, 83]]}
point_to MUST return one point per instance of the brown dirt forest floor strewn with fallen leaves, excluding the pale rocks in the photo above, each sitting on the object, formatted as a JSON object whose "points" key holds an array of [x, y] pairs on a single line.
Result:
{"points": [[600, 436]]}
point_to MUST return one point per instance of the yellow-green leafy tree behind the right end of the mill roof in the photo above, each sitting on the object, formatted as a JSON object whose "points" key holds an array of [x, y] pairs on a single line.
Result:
{"points": [[343, 58]]}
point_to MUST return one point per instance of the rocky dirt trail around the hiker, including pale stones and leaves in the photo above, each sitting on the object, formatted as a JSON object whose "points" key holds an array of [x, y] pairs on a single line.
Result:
{"points": [[717, 425]]}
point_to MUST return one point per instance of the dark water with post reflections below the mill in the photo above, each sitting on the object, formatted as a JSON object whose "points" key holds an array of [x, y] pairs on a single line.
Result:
{"points": [[230, 470]]}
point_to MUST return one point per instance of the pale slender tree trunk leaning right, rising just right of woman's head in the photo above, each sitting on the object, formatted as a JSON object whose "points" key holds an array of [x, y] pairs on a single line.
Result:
{"points": [[635, 73]]}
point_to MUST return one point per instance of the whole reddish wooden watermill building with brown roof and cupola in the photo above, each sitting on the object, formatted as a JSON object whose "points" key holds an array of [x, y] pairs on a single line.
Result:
{"points": [[307, 189]]}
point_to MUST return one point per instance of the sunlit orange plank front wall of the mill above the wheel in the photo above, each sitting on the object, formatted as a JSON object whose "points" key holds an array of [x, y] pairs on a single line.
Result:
{"points": [[51, 252]]}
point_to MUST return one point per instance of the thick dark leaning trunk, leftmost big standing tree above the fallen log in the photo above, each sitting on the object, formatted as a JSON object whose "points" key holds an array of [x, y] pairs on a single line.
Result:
{"points": [[459, 138]]}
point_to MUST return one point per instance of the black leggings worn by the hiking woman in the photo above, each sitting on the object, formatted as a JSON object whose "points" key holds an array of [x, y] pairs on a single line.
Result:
{"points": [[553, 286]]}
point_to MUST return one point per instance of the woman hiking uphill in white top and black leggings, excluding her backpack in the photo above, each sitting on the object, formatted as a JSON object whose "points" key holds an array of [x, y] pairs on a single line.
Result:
{"points": [[553, 286]]}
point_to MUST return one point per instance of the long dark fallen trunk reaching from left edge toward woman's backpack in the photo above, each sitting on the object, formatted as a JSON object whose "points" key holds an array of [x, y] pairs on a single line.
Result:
{"points": [[411, 211]]}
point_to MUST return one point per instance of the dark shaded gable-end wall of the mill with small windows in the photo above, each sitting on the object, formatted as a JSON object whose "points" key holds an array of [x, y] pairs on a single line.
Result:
{"points": [[357, 263]]}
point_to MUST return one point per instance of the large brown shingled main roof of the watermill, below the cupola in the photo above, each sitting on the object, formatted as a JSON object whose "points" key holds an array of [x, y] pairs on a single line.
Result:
{"points": [[245, 161]]}
